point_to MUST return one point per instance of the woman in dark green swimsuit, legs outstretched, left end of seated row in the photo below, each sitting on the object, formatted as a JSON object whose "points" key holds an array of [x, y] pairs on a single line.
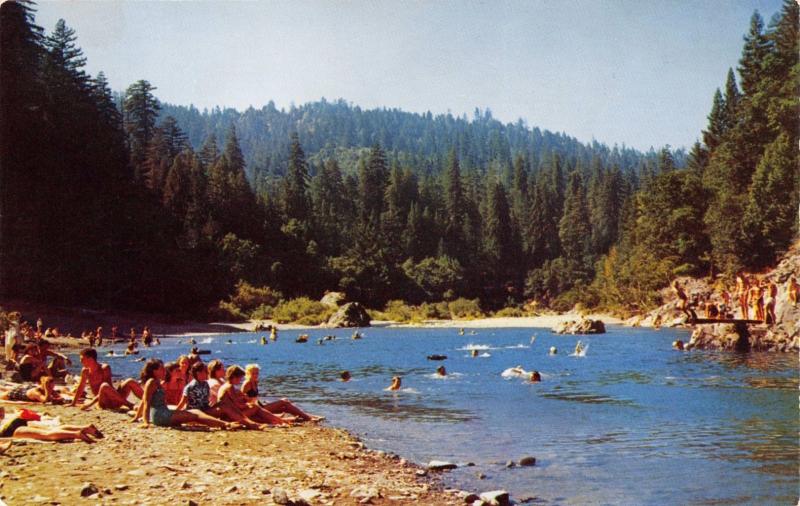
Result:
{"points": [[153, 408]]}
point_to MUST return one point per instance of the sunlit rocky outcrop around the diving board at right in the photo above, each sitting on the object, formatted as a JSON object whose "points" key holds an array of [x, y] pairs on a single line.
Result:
{"points": [[784, 336]]}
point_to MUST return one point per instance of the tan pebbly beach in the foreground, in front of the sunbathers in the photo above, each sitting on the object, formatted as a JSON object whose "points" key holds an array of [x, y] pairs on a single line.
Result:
{"points": [[133, 465]]}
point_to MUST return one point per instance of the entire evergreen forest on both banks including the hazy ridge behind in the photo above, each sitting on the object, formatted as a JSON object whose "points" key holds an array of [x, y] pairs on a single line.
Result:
{"points": [[126, 202]]}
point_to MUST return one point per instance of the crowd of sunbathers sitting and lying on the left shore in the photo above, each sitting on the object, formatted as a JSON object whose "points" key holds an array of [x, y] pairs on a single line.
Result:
{"points": [[186, 391]]}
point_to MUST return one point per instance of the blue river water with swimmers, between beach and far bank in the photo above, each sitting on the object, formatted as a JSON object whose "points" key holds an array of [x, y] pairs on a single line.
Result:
{"points": [[632, 422]]}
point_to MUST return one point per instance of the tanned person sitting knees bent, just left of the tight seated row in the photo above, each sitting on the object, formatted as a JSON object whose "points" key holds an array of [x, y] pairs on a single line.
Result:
{"points": [[98, 377]]}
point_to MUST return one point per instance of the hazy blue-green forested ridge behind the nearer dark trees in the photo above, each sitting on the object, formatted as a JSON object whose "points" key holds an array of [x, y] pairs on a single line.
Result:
{"points": [[338, 130]]}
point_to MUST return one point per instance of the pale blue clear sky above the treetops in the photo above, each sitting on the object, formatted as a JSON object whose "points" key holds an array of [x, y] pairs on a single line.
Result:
{"points": [[640, 73]]}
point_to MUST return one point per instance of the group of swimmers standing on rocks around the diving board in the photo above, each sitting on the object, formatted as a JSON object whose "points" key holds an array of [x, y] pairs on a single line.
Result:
{"points": [[753, 297]]}
